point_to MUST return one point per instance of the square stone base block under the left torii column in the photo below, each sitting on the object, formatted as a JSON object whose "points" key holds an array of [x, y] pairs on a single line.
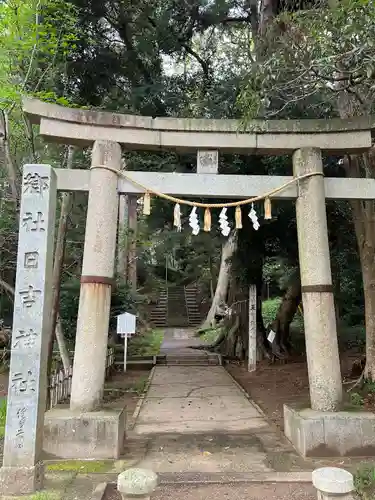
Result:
{"points": [[75, 435]]}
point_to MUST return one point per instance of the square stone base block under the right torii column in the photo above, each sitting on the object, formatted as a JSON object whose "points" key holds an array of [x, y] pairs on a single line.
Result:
{"points": [[330, 434]]}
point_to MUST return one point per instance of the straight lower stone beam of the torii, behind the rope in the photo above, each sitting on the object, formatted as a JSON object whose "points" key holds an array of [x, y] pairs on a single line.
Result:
{"points": [[219, 186]]}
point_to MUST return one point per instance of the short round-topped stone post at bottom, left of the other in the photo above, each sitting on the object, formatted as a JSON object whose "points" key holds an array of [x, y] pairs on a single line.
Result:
{"points": [[137, 483]]}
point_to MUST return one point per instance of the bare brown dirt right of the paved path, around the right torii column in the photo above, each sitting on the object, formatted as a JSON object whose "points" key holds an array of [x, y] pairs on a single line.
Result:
{"points": [[272, 385]]}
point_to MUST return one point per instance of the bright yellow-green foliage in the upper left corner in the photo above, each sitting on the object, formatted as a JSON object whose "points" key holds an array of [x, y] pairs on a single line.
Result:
{"points": [[35, 36]]}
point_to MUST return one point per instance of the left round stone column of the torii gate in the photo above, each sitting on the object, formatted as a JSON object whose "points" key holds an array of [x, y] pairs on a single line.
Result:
{"points": [[97, 279]]}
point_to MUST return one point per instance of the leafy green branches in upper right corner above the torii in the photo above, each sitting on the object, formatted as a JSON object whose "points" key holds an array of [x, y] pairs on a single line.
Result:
{"points": [[304, 50]]}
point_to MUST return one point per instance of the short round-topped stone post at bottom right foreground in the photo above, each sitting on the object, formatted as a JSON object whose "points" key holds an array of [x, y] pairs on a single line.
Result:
{"points": [[333, 483]]}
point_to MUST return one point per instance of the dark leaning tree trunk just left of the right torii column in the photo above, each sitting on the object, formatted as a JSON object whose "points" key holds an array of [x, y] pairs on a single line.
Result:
{"points": [[285, 315]]}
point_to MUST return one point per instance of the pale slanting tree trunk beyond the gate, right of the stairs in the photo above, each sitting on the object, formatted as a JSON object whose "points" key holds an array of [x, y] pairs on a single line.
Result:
{"points": [[221, 290]]}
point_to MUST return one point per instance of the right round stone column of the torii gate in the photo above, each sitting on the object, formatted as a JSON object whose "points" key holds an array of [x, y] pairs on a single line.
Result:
{"points": [[316, 280]]}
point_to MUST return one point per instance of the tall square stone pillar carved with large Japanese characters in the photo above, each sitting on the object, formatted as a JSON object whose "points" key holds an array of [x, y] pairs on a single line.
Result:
{"points": [[22, 471]]}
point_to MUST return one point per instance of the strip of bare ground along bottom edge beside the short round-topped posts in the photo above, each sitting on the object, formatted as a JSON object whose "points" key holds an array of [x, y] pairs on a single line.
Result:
{"points": [[254, 491]]}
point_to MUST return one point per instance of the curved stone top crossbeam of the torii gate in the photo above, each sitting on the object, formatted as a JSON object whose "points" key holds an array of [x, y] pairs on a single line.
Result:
{"points": [[275, 137]]}
